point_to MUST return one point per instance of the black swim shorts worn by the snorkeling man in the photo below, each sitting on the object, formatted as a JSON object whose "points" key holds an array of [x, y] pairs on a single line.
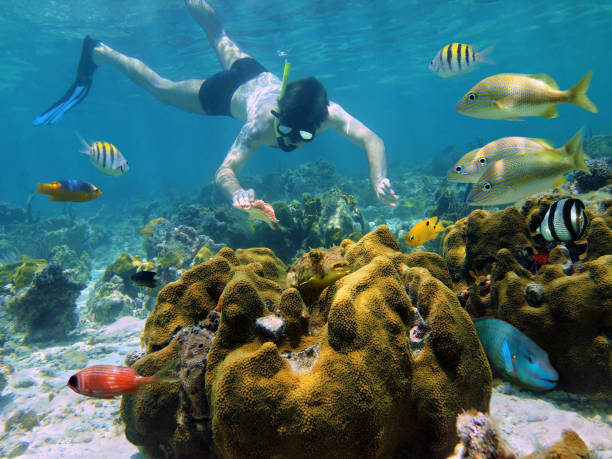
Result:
{"points": [[216, 92]]}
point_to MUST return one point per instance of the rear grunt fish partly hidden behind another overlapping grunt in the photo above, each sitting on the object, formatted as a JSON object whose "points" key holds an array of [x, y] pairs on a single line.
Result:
{"points": [[472, 165]]}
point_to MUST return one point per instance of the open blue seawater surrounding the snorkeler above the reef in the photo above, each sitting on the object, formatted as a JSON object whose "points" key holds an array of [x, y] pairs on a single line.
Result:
{"points": [[372, 57]]}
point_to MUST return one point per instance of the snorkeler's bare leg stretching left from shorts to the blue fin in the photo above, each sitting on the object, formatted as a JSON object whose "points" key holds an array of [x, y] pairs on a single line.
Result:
{"points": [[180, 94]]}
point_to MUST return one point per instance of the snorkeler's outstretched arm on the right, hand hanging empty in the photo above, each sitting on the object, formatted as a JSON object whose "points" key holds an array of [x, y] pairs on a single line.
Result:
{"points": [[359, 134]]}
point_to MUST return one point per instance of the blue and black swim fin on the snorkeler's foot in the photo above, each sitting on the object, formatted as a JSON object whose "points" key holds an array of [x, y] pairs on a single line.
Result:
{"points": [[79, 89]]}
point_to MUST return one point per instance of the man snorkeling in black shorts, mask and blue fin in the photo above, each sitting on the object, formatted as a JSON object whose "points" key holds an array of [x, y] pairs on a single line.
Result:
{"points": [[275, 113]]}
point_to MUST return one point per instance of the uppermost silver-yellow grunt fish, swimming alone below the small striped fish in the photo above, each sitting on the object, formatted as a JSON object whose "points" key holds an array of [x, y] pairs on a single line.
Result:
{"points": [[508, 96]]}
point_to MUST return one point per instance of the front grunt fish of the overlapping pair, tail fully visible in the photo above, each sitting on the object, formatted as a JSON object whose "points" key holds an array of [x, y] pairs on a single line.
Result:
{"points": [[515, 177]]}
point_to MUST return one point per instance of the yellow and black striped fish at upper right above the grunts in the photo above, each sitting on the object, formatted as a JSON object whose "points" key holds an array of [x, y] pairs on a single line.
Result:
{"points": [[458, 59]]}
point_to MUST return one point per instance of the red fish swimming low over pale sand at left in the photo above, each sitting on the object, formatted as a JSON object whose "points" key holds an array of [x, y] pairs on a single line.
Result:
{"points": [[108, 381]]}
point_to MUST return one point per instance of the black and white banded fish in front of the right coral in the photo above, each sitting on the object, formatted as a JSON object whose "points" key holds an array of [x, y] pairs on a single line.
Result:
{"points": [[565, 220]]}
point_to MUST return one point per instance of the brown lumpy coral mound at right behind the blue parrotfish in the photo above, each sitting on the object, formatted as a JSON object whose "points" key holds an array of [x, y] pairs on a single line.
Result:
{"points": [[565, 311]]}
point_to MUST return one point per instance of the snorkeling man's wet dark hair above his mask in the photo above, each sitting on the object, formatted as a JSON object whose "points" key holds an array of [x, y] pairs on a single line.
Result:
{"points": [[304, 103]]}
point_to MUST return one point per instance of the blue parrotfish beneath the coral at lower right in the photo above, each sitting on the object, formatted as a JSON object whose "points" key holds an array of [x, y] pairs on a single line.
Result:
{"points": [[515, 356]]}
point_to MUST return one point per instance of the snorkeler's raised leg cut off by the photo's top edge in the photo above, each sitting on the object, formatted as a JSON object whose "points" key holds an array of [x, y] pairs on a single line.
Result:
{"points": [[227, 51]]}
